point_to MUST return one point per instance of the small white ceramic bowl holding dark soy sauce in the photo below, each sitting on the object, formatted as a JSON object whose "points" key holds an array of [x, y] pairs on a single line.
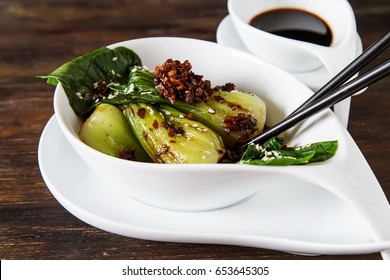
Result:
{"points": [[294, 55]]}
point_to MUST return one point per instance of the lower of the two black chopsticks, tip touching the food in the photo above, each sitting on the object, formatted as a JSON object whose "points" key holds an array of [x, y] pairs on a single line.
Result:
{"points": [[326, 101]]}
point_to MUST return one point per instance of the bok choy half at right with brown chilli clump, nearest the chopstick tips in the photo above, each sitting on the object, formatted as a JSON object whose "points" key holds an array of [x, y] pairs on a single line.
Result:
{"points": [[236, 116]]}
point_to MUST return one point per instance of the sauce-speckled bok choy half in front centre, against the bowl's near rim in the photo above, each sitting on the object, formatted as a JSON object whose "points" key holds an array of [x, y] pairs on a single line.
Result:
{"points": [[168, 136]]}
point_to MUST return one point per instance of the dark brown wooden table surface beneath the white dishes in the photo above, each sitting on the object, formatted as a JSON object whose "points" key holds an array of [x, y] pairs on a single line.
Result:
{"points": [[38, 36]]}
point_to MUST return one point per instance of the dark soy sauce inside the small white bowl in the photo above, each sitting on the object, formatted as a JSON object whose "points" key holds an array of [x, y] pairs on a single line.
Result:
{"points": [[294, 24]]}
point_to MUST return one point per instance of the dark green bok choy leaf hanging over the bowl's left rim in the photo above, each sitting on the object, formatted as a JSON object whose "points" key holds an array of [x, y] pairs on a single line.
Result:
{"points": [[87, 78]]}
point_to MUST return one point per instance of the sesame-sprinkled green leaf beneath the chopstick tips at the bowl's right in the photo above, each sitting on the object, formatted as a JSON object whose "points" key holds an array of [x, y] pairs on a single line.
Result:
{"points": [[274, 152]]}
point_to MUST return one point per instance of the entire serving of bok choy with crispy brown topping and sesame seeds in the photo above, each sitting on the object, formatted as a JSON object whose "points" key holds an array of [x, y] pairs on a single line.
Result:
{"points": [[170, 115]]}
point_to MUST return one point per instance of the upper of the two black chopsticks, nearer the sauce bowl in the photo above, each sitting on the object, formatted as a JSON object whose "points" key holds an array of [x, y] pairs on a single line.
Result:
{"points": [[353, 68]]}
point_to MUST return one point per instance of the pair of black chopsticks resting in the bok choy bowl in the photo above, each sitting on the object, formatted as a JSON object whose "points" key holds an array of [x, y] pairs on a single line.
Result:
{"points": [[335, 90]]}
